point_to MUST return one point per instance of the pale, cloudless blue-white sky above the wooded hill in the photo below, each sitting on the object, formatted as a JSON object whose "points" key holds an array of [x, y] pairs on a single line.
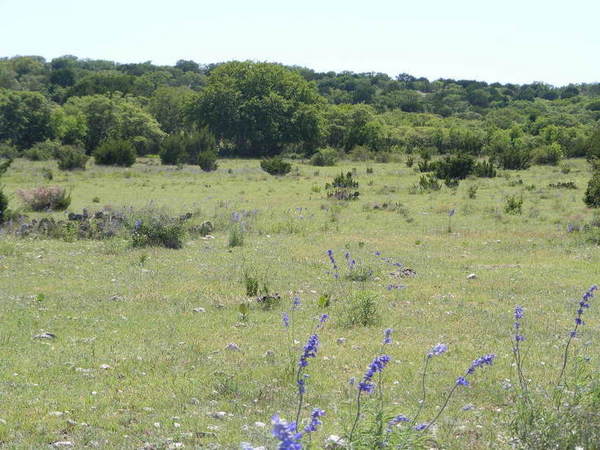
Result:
{"points": [[508, 41]]}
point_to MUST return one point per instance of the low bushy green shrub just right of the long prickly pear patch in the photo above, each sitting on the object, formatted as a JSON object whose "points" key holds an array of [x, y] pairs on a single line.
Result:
{"points": [[158, 232]]}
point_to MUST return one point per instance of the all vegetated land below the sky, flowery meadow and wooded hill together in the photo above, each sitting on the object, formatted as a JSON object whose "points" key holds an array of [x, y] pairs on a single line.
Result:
{"points": [[159, 291]]}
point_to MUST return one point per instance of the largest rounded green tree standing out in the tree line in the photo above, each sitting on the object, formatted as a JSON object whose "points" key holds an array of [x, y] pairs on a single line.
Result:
{"points": [[259, 107]]}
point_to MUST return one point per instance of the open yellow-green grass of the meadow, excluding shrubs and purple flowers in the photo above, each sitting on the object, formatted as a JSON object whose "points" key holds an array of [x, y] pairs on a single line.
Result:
{"points": [[132, 364]]}
